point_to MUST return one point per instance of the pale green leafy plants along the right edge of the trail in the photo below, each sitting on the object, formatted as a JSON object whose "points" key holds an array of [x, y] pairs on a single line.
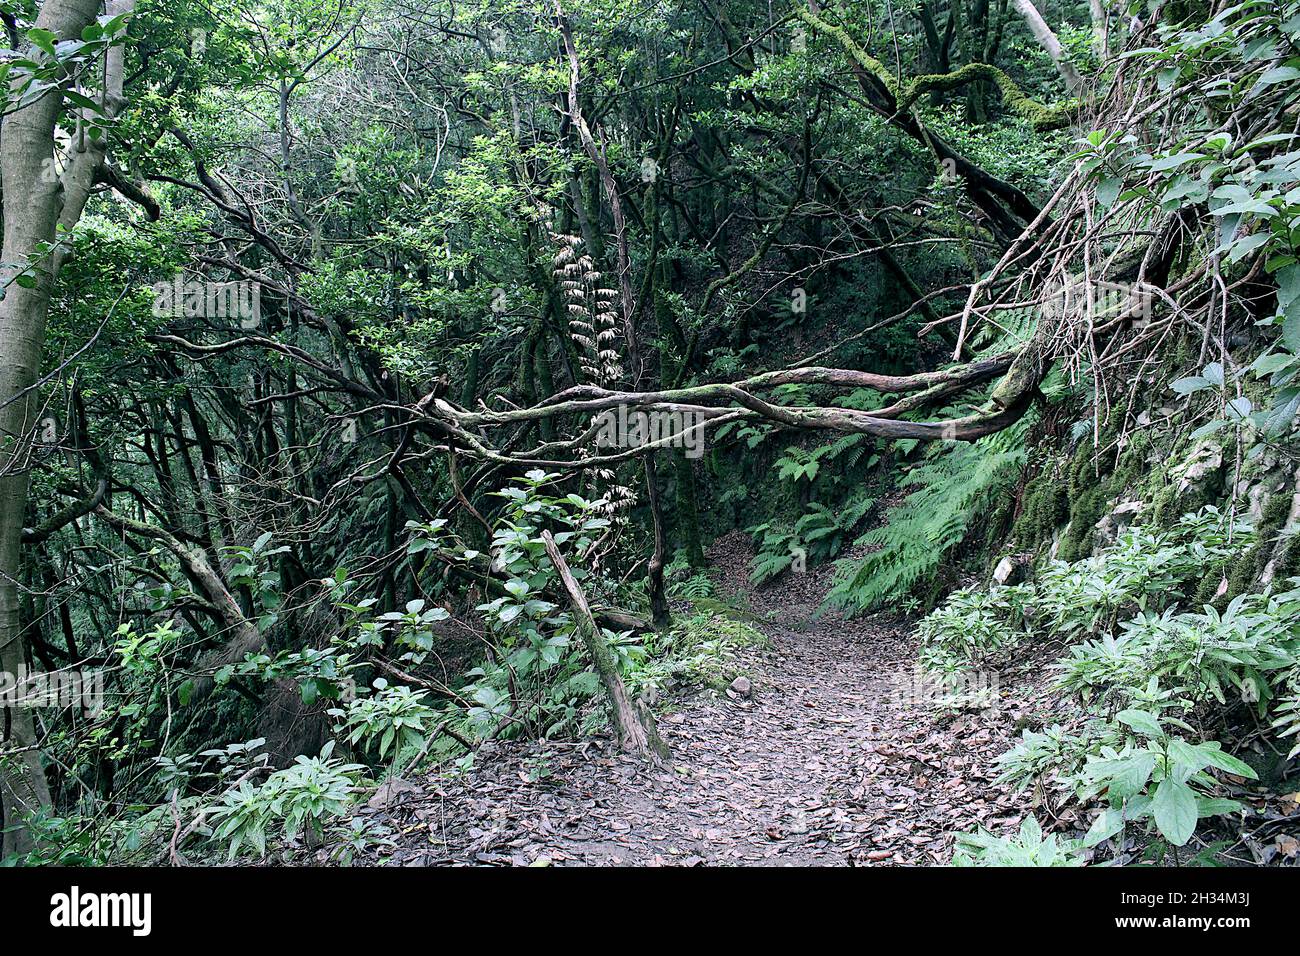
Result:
{"points": [[1147, 667]]}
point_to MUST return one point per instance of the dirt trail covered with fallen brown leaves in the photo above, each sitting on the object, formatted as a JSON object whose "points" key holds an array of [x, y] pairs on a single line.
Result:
{"points": [[829, 762]]}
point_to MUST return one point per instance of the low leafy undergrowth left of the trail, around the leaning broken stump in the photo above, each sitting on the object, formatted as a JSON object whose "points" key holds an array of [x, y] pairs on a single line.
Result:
{"points": [[536, 684]]}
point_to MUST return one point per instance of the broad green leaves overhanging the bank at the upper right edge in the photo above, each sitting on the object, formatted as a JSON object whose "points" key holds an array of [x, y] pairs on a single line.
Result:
{"points": [[1246, 184]]}
